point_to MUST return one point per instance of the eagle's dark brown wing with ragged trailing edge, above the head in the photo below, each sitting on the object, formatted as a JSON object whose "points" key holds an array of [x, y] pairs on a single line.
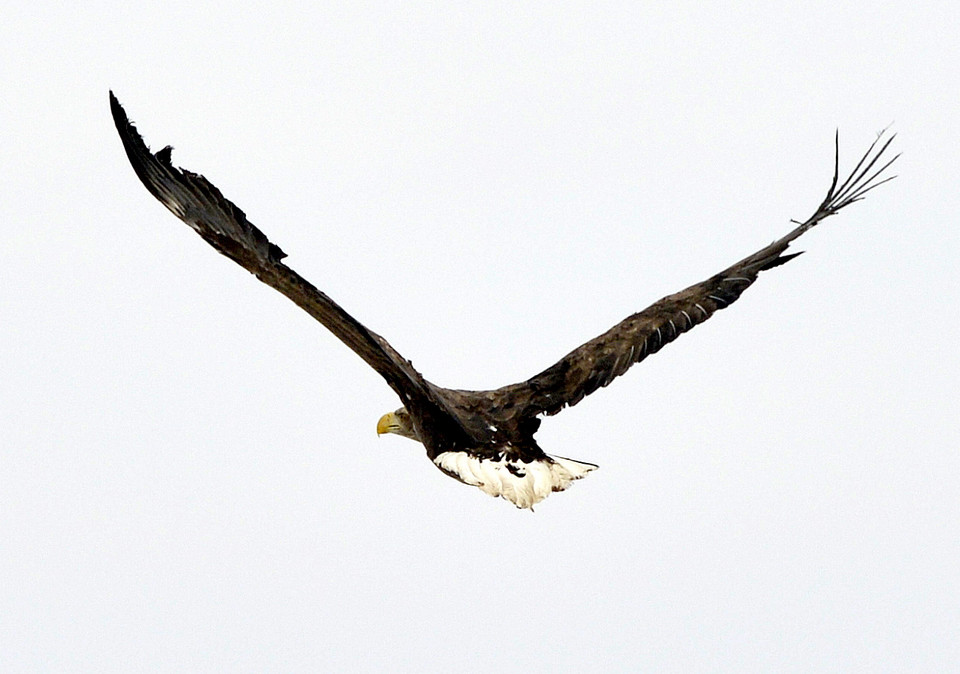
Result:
{"points": [[197, 202]]}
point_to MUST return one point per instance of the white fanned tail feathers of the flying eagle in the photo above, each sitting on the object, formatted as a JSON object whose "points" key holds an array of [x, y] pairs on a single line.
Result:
{"points": [[523, 484]]}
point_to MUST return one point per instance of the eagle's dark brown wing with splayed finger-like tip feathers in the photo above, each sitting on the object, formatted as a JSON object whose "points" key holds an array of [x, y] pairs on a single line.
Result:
{"points": [[599, 361]]}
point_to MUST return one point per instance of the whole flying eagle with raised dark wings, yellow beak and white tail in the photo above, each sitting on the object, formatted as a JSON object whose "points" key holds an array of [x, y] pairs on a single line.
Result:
{"points": [[481, 438]]}
